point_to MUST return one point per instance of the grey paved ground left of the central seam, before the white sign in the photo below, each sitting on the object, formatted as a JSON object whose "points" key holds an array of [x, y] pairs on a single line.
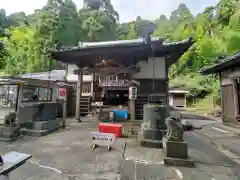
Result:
{"points": [[67, 155]]}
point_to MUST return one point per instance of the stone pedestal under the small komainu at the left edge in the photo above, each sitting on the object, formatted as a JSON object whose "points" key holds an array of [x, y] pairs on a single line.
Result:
{"points": [[9, 133]]}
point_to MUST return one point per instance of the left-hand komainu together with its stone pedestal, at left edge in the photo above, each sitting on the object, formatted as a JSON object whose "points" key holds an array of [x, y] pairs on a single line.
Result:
{"points": [[10, 130]]}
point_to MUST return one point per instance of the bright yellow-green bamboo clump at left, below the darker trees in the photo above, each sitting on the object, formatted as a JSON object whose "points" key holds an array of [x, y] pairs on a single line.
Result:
{"points": [[23, 52]]}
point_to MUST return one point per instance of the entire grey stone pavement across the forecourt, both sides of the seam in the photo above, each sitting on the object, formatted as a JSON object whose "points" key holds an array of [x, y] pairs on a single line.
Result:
{"points": [[68, 155]]}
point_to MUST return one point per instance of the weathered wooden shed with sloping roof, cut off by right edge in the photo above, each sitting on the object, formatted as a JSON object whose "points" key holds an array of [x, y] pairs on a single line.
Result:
{"points": [[229, 73]]}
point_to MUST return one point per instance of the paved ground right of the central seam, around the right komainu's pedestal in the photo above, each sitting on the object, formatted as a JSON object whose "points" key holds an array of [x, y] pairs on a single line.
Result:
{"points": [[146, 164]]}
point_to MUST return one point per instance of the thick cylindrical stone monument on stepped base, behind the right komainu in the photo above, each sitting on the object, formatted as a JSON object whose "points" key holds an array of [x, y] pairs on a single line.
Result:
{"points": [[153, 127]]}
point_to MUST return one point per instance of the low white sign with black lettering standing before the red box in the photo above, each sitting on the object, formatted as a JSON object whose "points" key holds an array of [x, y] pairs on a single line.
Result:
{"points": [[103, 139]]}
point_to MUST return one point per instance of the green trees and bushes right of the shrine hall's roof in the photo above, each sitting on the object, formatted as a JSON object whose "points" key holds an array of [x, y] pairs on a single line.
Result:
{"points": [[216, 32]]}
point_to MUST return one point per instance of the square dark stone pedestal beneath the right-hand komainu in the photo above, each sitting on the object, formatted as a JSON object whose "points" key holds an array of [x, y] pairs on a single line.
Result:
{"points": [[176, 153]]}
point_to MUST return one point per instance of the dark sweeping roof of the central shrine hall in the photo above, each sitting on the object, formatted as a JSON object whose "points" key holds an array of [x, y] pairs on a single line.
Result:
{"points": [[133, 51]]}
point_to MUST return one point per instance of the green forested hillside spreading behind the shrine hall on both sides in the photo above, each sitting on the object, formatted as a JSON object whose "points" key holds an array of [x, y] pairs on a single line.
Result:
{"points": [[27, 38]]}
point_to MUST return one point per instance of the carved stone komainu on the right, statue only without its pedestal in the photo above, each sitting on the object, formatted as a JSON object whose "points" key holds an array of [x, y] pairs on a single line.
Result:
{"points": [[174, 129]]}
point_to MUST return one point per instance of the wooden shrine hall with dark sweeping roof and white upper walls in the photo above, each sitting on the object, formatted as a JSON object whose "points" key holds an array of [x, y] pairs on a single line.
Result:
{"points": [[103, 68]]}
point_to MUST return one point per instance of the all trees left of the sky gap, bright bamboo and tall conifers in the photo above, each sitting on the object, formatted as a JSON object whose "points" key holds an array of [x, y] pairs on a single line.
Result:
{"points": [[27, 39]]}
